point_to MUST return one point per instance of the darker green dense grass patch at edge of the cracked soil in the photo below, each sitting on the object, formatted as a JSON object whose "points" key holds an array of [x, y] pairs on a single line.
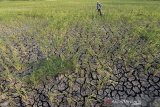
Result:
{"points": [[48, 67]]}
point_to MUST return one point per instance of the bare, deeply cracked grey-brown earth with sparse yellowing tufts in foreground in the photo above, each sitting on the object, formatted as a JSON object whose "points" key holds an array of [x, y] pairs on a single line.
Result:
{"points": [[88, 90]]}
